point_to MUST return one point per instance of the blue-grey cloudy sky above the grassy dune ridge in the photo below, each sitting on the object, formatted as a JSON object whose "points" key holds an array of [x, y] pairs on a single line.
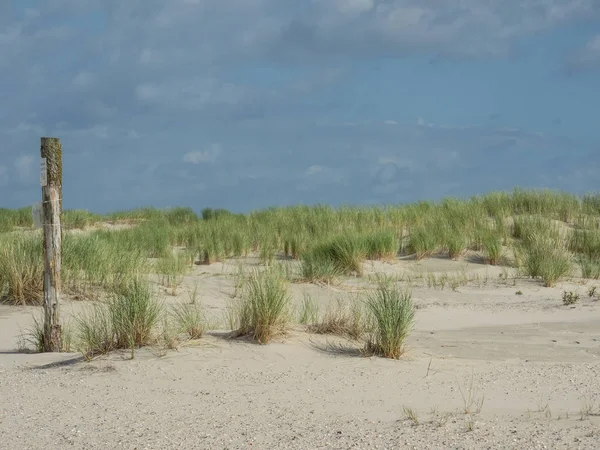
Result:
{"points": [[247, 104]]}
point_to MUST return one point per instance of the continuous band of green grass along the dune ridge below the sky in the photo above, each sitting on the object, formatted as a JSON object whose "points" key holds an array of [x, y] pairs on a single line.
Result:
{"points": [[329, 243]]}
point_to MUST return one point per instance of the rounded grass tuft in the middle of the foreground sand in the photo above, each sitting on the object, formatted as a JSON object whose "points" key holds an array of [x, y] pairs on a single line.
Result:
{"points": [[263, 311]]}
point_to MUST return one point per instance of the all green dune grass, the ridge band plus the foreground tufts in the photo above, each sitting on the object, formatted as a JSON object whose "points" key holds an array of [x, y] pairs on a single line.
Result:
{"points": [[543, 235]]}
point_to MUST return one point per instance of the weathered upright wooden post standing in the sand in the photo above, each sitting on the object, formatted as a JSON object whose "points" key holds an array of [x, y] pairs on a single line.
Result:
{"points": [[51, 181]]}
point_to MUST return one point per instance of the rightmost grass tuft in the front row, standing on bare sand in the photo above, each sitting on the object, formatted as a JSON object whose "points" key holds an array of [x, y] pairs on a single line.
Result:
{"points": [[392, 314]]}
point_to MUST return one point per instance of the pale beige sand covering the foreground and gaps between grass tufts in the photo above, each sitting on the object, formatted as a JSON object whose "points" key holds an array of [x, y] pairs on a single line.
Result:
{"points": [[485, 369]]}
